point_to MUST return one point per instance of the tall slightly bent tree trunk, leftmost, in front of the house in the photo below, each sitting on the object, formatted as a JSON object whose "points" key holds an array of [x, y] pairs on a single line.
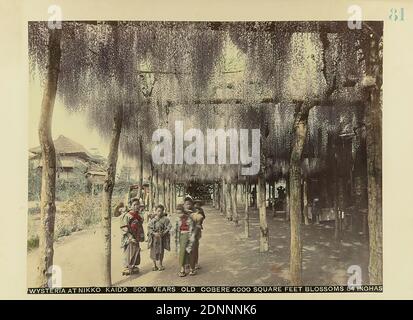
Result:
{"points": [[48, 188]]}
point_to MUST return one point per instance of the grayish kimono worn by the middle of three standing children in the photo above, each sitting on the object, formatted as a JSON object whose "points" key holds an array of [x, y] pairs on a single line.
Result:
{"points": [[158, 244]]}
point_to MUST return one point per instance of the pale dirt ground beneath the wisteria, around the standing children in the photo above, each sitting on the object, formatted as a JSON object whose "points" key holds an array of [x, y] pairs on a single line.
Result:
{"points": [[225, 256]]}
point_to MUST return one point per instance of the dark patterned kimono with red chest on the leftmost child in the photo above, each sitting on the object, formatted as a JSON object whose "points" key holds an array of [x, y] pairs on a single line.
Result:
{"points": [[131, 224]]}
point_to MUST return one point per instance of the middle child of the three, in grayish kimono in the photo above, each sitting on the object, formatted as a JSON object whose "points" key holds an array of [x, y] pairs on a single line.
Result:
{"points": [[159, 237]]}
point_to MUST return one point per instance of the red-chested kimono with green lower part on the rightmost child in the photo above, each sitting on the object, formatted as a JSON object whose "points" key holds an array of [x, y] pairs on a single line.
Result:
{"points": [[184, 238]]}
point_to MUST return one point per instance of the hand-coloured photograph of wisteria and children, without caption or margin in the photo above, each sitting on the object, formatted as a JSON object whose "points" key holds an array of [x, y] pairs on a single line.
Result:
{"points": [[179, 153]]}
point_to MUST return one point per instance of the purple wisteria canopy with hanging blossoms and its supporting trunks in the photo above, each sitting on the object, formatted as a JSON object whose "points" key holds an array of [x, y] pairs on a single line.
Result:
{"points": [[307, 86]]}
